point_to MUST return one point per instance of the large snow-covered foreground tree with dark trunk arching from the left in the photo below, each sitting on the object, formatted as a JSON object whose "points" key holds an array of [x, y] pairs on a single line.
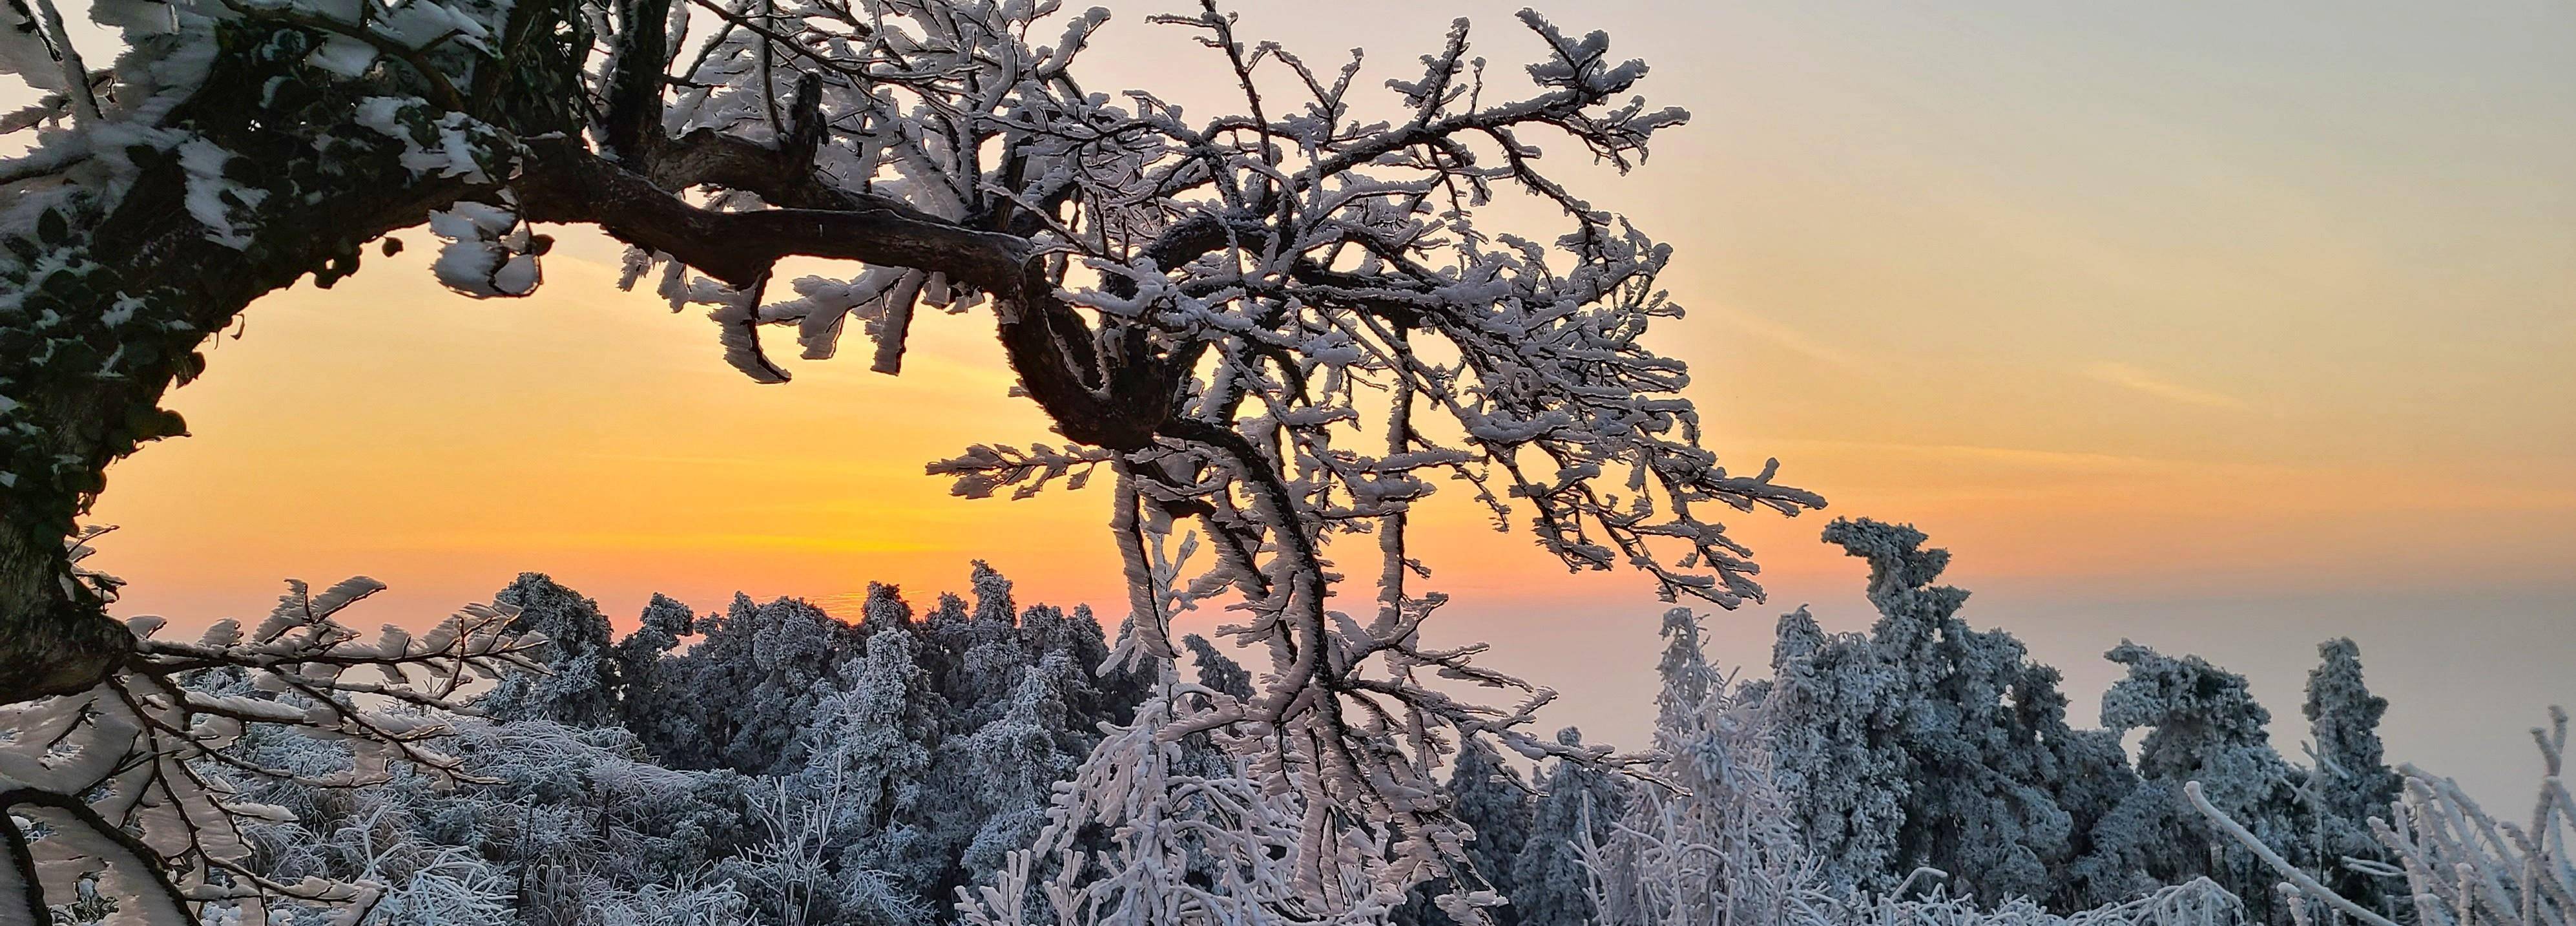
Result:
{"points": [[1238, 316]]}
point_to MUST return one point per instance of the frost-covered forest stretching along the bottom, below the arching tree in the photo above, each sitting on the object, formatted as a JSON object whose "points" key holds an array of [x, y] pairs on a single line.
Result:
{"points": [[988, 762]]}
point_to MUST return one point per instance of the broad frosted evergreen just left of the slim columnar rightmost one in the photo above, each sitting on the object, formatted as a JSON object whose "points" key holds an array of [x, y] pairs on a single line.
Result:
{"points": [[2204, 726]]}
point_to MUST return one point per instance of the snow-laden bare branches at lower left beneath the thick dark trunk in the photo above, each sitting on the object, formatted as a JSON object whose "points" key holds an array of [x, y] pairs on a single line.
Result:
{"points": [[130, 783]]}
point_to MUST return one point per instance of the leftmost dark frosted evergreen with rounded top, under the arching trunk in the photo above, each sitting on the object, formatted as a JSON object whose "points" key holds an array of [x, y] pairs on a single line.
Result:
{"points": [[581, 682]]}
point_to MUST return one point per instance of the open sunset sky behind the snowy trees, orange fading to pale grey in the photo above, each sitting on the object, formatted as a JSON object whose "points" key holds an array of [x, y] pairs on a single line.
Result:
{"points": [[2170, 321]]}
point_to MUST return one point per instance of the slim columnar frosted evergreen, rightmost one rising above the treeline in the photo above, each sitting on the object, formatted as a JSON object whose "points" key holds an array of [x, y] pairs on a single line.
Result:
{"points": [[2351, 780]]}
